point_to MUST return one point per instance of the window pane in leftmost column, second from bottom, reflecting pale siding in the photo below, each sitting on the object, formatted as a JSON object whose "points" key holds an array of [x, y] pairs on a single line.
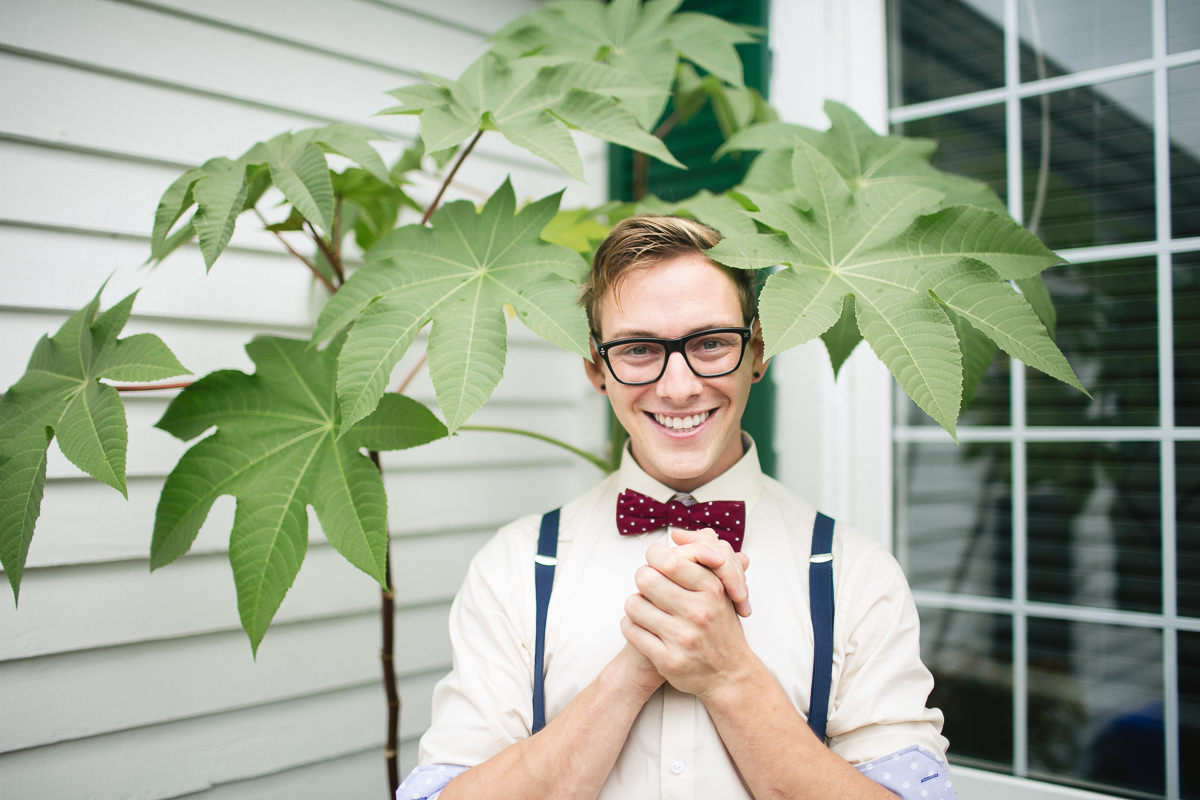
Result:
{"points": [[955, 518]]}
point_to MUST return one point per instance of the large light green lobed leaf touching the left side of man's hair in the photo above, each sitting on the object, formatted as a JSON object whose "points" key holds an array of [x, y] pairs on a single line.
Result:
{"points": [[460, 274]]}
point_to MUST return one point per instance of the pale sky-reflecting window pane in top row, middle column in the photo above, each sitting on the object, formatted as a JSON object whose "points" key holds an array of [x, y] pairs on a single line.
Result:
{"points": [[1064, 37]]}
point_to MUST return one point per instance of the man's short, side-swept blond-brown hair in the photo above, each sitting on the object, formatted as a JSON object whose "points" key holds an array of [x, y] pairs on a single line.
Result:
{"points": [[647, 240]]}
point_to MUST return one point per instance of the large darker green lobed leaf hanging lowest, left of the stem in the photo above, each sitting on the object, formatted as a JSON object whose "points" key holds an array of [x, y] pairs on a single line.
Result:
{"points": [[277, 450]]}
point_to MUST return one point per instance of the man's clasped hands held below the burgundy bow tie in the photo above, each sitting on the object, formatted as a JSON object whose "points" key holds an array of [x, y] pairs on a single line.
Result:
{"points": [[685, 623]]}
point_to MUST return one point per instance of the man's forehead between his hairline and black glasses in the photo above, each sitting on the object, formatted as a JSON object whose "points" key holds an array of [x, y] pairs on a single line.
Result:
{"points": [[670, 298]]}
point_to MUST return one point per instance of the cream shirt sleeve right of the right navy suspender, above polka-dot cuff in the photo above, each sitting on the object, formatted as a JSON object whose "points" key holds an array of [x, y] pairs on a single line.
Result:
{"points": [[881, 685]]}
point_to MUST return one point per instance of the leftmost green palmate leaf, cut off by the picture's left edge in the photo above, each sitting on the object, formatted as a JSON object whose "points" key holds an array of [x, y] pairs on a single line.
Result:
{"points": [[62, 396]]}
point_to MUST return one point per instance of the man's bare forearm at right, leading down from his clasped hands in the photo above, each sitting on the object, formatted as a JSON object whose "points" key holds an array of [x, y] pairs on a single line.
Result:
{"points": [[776, 751]]}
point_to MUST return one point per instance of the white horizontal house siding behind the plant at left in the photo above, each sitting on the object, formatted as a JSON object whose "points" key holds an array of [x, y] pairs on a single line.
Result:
{"points": [[121, 683]]}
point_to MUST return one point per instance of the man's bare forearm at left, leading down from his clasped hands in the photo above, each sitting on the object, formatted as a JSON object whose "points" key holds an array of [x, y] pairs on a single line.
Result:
{"points": [[573, 756]]}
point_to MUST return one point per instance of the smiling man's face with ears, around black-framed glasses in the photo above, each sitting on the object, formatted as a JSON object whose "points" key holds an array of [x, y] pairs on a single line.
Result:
{"points": [[685, 430]]}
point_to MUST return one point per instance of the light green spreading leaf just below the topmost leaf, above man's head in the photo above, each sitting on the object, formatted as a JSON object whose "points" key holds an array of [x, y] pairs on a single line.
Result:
{"points": [[535, 104]]}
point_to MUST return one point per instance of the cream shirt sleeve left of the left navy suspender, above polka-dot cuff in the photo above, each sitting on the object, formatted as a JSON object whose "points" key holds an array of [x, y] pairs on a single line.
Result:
{"points": [[485, 703]]}
